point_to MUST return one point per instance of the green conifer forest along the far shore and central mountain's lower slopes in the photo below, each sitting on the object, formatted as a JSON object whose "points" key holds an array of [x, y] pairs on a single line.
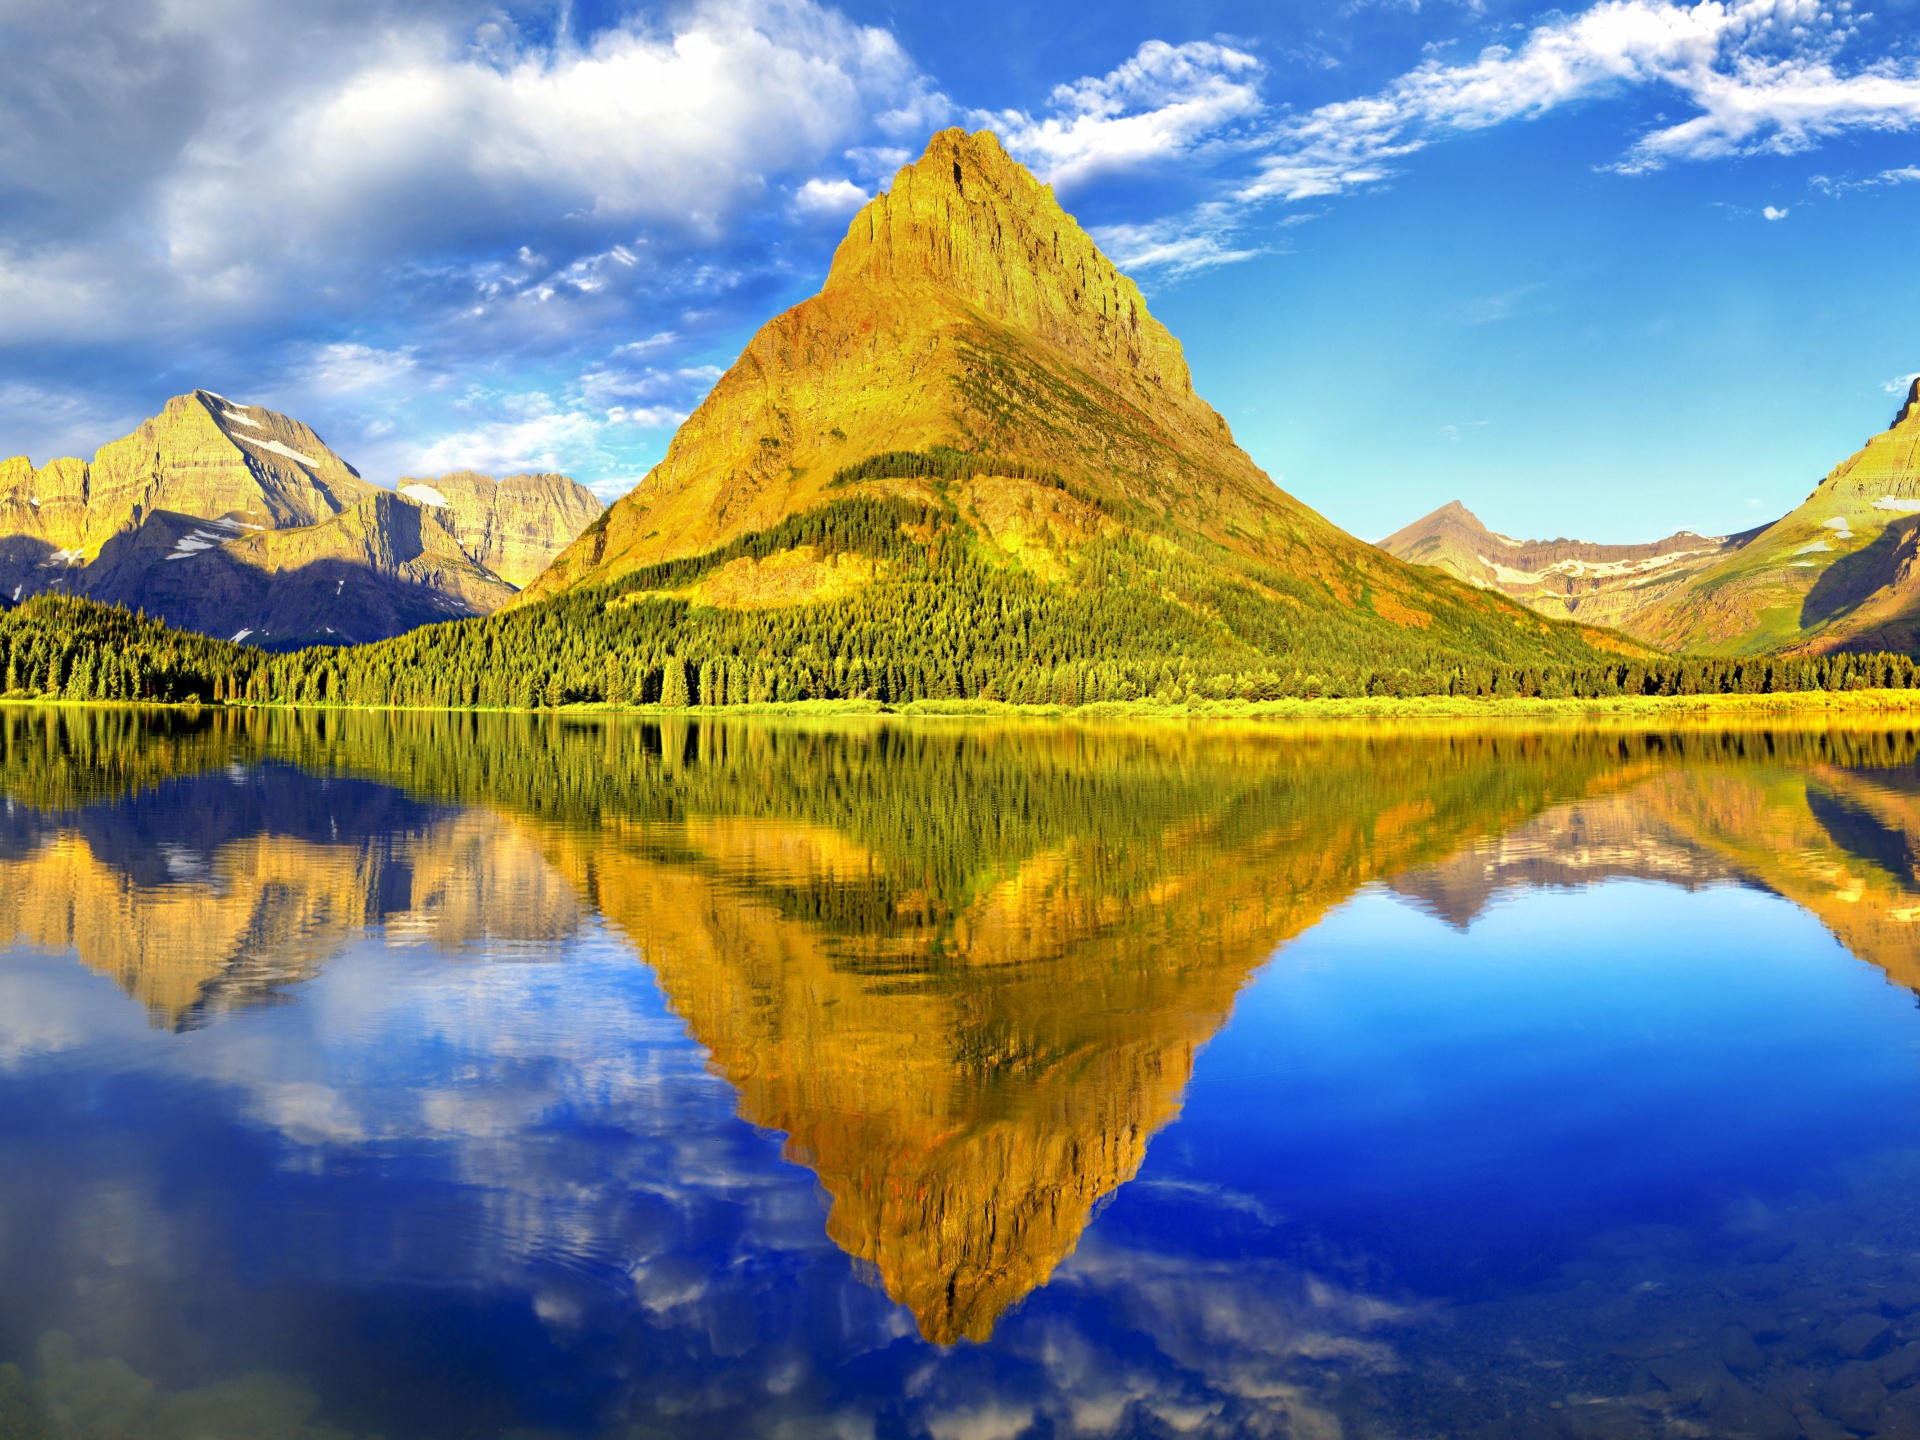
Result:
{"points": [[942, 621]]}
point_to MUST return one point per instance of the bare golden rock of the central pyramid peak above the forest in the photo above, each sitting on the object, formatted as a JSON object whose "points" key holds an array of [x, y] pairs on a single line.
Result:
{"points": [[972, 325]]}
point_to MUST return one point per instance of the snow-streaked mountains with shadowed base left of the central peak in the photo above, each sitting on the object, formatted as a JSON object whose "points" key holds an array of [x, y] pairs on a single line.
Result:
{"points": [[241, 523]]}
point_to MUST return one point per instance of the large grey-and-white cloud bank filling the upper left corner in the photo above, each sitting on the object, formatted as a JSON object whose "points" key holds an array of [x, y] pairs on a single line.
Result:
{"points": [[402, 139]]}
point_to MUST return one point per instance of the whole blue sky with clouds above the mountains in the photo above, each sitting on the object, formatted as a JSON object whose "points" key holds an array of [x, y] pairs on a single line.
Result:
{"points": [[1602, 272]]}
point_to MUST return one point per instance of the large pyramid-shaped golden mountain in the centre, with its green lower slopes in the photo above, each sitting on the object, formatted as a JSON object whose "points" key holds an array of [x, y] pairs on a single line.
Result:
{"points": [[978, 372]]}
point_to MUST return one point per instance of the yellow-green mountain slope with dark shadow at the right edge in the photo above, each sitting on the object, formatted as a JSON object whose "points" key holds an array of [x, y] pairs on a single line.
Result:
{"points": [[1836, 575]]}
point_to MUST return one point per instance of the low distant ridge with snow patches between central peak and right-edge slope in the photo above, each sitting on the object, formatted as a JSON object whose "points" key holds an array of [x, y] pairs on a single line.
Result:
{"points": [[1566, 579]]}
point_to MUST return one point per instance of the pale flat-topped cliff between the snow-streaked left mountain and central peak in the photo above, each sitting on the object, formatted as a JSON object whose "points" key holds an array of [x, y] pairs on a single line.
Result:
{"points": [[514, 527]]}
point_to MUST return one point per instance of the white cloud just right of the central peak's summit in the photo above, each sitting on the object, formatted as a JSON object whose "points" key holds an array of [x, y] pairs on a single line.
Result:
{"points": [[1157, 107]]}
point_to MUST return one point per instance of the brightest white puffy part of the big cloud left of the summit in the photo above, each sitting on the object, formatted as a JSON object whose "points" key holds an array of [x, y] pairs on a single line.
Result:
{"points": [[660, 128]]}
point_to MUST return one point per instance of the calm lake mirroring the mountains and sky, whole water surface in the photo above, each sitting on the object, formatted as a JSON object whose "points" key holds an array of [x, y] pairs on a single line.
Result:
{"points": [[402, 1076]]}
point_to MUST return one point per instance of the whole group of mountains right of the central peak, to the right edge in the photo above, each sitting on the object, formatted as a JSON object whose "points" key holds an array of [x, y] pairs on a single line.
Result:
{"points": [[1836, 575]]}
